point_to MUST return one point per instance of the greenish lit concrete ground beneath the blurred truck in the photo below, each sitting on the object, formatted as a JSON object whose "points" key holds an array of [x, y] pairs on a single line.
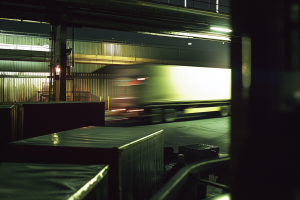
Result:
{"points": [[212, 131]]}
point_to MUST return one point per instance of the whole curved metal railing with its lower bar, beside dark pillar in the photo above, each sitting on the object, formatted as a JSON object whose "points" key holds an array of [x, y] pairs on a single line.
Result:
{"points": [[187, 179]]}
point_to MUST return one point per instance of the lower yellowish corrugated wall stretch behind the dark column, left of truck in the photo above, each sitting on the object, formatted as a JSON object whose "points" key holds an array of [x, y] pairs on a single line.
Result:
{"points": [[25, 89]]}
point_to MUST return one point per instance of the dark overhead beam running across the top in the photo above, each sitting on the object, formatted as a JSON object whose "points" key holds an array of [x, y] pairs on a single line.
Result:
{"points": [[132, 15]]}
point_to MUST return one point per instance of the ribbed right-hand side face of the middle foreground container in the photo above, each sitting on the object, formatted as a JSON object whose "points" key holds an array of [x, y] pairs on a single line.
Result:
{"points": [[141, 168]]}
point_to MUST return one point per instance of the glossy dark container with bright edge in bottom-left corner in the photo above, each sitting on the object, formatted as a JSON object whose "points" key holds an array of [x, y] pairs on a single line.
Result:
{"points": [[24, 181]]}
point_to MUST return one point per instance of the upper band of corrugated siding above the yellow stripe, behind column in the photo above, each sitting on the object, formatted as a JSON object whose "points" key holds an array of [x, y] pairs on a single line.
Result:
{"points": [[110, 49]]}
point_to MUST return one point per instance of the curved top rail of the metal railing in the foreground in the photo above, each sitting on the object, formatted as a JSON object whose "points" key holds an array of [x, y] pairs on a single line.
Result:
{"points": [[183, 176]]}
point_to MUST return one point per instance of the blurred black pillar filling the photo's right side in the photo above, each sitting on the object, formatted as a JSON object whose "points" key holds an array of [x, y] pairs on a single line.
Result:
{"points": [[265, 100]]}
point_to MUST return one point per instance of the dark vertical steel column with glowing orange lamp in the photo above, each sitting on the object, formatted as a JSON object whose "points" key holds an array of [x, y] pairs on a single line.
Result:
{"points": [[61, 58]]}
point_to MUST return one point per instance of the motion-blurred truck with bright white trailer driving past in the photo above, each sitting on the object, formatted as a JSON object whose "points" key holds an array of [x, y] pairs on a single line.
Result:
{"points": [[163, 92]]}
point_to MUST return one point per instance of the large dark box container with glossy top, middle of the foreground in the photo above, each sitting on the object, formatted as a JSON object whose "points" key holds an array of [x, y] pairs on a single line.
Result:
{"points": [[134, 156]]}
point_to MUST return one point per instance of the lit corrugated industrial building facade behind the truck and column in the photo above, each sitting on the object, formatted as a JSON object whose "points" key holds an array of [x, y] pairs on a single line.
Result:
{"points": [[25, 60]]}
